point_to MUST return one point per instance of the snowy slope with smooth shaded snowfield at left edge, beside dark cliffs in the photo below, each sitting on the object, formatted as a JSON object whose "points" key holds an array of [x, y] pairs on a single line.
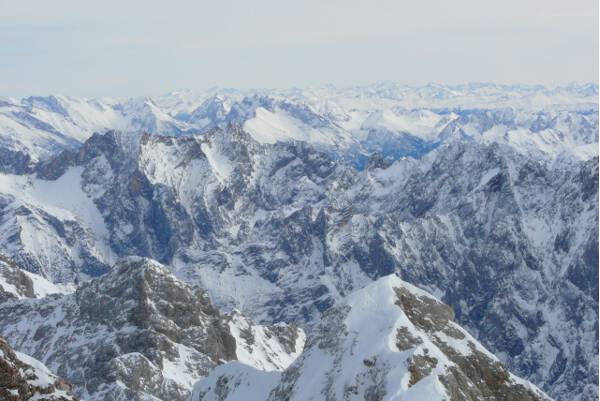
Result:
{"points": [[50, 227]]}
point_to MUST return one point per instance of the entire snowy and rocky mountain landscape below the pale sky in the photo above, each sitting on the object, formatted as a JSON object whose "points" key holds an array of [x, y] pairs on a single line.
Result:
{"points": [[380, 242]]}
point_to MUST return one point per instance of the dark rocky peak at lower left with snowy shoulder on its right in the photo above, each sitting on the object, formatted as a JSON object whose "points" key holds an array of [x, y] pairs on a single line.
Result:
{"points": [[137, 333]]}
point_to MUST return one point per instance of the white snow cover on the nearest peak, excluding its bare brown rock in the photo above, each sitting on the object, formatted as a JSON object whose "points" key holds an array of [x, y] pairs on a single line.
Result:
{"points": [[349, 360]]}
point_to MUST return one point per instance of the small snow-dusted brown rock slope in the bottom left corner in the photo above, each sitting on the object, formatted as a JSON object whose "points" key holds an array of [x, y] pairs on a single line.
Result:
{"points": [[23, 378]]}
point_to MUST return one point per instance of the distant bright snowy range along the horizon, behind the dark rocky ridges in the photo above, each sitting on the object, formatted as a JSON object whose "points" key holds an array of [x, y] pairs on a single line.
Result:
{"points": [[402, 120]]}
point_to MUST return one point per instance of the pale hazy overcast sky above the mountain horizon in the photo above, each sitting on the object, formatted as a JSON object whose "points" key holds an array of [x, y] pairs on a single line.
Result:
{"points": [[130, 47]]}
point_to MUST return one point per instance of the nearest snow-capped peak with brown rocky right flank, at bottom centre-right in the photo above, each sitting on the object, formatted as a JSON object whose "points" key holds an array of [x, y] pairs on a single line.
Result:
{"points": [[387, 341]]}
